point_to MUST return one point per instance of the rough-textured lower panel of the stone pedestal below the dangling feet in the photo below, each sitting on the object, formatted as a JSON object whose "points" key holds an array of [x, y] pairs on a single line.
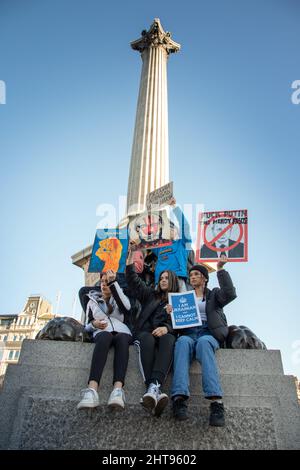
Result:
{"points": [[54, 424]]}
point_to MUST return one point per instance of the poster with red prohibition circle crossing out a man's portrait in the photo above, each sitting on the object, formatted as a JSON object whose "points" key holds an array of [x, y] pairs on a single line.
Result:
{"points": [[222, 233]]}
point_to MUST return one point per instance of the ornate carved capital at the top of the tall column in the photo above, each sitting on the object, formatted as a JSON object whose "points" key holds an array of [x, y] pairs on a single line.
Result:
{"points": [[155, 37]]}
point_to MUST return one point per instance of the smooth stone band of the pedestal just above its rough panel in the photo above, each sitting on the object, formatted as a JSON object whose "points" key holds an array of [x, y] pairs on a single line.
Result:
{"points": [[75, 378]]}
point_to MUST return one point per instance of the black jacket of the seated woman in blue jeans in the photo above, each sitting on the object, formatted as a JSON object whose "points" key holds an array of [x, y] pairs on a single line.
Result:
{"points": [[216, 299]]}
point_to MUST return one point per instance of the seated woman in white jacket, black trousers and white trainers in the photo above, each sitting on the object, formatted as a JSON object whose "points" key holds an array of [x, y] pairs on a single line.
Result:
{"points": [[108, 312]]}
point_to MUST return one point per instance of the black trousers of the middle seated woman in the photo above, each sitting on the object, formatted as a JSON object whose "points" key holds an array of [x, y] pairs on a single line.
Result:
{"points": [[156, 355]]}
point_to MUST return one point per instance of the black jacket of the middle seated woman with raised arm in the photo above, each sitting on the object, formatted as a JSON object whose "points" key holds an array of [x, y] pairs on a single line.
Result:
{"points": [[152, 314]]}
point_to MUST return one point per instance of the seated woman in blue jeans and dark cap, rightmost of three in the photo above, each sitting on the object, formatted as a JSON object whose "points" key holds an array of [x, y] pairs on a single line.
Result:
{"points": [[201, 342]]}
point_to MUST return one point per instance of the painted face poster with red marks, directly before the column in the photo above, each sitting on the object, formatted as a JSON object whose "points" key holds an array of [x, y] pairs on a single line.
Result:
{"points": [[150, 230]]}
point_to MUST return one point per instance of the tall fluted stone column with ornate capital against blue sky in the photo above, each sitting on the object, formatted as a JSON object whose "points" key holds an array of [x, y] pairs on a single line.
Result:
{"points": [[149, 167]]}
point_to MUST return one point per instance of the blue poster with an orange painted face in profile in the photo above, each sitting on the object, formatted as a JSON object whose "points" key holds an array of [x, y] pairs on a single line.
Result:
{"points": [[109, 250]]}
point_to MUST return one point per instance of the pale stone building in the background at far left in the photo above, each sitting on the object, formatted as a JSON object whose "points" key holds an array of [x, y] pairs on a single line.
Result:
{"points": [[15, 328]]}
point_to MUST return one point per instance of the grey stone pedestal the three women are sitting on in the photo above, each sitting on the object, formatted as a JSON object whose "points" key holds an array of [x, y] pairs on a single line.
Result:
{"points": [[40, 394]]}
